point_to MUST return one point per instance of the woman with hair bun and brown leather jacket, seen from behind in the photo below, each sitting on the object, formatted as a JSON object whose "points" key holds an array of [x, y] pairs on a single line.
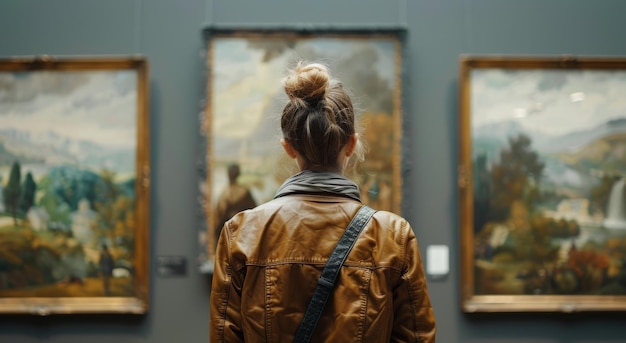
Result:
{"points": [[269, 258]]}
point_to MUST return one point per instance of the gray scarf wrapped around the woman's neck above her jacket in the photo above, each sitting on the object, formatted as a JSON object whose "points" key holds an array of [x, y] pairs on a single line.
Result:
{"points": [[311, 182]]}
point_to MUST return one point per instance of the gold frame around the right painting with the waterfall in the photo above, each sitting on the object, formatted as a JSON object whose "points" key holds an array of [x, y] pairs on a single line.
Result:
{"points": [[470, 299]]}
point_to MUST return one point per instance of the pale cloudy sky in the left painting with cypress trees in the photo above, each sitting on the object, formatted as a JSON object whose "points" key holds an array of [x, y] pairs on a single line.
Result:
{"points": [[95, 106]]}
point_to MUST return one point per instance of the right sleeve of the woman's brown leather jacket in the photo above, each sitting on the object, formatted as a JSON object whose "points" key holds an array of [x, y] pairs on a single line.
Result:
{"points": [[414, 320]]}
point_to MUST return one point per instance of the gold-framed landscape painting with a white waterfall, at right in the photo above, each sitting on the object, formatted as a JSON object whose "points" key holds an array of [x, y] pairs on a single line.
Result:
{"points": [[542, 177]]}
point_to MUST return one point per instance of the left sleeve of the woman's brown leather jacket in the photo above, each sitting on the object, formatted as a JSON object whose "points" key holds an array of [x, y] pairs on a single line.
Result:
{"points": [[225, 314]]}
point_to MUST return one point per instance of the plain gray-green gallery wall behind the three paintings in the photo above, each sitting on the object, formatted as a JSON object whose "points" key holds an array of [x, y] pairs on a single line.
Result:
{"points": [[168, 32]]}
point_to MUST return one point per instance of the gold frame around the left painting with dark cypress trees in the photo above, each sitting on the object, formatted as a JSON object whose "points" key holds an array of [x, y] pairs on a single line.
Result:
{"points": [[138, 302]]}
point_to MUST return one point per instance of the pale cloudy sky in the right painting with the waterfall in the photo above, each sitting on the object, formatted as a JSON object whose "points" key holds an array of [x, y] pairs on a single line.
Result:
{"points": [[554, 102]]}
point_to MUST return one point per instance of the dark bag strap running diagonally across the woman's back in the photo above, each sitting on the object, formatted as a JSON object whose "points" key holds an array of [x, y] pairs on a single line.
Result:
{"points": [[326, 282]]}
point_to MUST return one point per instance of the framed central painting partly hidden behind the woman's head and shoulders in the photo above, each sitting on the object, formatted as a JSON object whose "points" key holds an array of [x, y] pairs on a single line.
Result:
{"points": [[243, 163]]}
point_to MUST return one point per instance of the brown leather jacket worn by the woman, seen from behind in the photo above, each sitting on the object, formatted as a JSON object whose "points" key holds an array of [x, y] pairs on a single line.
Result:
{"points": [[269, 259]]}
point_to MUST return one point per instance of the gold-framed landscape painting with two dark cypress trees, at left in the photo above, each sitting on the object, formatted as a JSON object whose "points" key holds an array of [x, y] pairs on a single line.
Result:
{"points": [[74, 199]]}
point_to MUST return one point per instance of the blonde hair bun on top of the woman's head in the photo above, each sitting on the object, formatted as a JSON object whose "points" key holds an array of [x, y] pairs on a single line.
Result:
{"points": [[307, 83]]}
